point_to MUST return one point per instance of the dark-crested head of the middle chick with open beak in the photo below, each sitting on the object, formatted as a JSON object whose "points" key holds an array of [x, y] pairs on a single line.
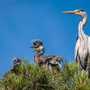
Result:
{"points": [[38, 45]]}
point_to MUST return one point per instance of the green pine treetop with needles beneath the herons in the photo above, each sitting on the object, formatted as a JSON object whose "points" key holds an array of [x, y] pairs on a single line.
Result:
{"points": [[33, 77]]}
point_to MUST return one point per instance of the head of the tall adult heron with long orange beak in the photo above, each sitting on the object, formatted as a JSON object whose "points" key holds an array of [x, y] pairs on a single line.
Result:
{"points": [[78, 12]]}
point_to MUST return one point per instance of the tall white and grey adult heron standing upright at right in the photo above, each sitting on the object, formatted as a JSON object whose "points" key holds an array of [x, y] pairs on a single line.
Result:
{"points": [[82, 49]]}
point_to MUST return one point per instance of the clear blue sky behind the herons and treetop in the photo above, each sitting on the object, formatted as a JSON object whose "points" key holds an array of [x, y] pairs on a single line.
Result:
{"points": [[21, 21]]}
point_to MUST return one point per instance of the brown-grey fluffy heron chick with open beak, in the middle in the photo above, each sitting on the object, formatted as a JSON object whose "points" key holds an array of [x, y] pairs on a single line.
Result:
{"points": [[48, 60]]}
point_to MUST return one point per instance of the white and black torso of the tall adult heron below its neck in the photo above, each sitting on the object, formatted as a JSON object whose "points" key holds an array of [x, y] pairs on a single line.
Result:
{"points": [[81, 52]]}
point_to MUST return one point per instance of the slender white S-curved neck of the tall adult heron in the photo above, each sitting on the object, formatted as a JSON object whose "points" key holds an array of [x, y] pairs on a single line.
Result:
{"points": [[81, 25]]}
